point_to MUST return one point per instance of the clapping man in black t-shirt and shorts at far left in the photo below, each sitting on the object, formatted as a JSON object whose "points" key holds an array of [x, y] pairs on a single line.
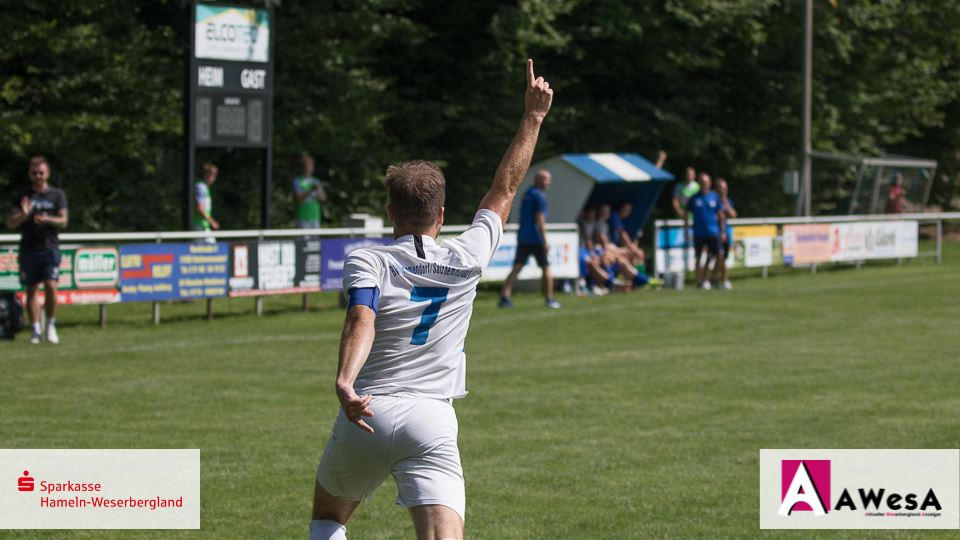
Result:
{"points": [[39, 212]]}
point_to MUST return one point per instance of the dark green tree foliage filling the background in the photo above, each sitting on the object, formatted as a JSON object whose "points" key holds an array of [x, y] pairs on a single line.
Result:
{"points": [[97, 86]]}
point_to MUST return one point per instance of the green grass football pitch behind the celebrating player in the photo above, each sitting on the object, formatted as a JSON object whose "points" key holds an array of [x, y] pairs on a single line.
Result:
{"points": [[631, 416]]}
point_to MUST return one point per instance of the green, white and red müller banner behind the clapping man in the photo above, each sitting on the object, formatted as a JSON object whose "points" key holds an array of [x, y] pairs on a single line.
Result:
{"points": [[88, 275]]}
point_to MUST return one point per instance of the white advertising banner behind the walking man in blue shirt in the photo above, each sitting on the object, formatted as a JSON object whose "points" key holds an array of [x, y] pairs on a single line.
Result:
{"points": [[564, 247]]}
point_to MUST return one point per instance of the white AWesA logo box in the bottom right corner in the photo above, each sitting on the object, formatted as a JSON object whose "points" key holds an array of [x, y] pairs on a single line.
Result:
{"points": [[860, 489]]}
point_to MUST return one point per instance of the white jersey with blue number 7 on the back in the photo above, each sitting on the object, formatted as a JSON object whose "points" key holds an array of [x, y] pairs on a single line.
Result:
{"points": [[426, 300]]}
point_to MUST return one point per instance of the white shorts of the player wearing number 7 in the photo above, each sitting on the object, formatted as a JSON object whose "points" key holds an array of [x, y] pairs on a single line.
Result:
{"points": [[415, 439]]}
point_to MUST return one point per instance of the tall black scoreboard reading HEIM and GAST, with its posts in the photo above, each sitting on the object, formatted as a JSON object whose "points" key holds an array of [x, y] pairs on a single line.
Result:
{"points": [[229, 94]]}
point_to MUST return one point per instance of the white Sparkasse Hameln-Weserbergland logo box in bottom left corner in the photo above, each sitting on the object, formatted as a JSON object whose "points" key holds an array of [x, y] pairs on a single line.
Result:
{"points": [[99, 489]]}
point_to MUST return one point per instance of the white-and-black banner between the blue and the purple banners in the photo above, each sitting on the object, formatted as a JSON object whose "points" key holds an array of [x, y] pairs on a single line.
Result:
{"points": [[259, 268]]}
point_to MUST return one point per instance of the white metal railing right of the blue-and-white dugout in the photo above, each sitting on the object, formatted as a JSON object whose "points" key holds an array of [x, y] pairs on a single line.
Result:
{"points": [[936, 218]]}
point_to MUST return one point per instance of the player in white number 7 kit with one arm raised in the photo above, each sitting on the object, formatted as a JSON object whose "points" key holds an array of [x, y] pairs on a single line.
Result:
{"points": [[402, 358]]}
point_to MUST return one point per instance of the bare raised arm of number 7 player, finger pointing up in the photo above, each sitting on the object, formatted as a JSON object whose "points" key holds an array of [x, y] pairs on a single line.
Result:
{"points": [[516, 160]]}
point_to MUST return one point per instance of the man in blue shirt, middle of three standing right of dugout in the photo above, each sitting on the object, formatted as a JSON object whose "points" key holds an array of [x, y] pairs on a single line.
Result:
{"points": [[709, 230]]}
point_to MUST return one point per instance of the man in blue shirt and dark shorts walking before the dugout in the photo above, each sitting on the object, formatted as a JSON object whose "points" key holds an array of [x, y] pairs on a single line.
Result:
{"points": [[532, 239]]}
